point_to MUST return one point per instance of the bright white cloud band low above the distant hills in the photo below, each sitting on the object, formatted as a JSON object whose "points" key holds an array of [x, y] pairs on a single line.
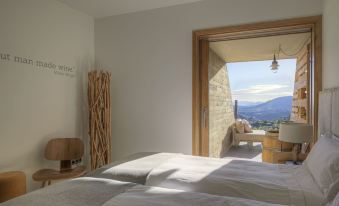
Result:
{"points": [[262, 92]]}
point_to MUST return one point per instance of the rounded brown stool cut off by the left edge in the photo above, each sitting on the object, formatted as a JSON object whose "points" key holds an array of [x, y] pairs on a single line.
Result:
{"points": [[12, 184]]}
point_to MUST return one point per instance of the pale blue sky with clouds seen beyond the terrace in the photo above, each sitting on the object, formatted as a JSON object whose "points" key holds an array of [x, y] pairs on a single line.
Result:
{"points": [[255, 82]]}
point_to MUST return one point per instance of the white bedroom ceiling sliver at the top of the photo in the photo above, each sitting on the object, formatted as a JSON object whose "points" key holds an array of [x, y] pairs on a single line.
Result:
{"points": [[103, 8]]}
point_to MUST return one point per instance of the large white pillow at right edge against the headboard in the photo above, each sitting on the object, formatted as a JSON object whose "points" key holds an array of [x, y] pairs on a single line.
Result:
{"points": [[323, 164]]}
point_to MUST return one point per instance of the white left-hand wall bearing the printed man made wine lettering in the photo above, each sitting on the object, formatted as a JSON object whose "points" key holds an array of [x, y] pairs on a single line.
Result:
{"points": [[37, 104]]}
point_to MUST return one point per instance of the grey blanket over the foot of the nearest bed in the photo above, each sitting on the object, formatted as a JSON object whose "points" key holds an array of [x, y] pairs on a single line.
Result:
{"points": [[84, 191]]}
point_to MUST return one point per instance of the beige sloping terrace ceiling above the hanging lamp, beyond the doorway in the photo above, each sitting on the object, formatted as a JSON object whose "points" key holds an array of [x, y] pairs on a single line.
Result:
{"points": [[261, 48]]}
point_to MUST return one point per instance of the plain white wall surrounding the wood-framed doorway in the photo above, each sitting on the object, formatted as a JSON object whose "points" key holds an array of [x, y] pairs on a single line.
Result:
{"points": [[150, 53]]}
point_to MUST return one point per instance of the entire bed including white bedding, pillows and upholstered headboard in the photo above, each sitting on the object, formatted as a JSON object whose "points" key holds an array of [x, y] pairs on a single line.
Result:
{"points": [[177, 179]]}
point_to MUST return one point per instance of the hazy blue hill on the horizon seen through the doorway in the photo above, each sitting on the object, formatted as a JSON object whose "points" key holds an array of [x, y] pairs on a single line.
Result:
{"points": [[275, 109]]}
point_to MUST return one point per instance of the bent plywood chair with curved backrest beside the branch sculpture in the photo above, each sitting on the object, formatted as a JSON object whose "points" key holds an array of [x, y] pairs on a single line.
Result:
{"points": [[63, 150]]}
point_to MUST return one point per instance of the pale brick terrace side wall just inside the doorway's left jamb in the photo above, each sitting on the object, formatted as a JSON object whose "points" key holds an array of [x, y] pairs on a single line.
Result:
{"points": [[221, 115]]}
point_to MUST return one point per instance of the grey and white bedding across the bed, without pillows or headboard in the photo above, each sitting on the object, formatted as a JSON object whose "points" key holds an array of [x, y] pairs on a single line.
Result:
{"points": [[167, 181]]}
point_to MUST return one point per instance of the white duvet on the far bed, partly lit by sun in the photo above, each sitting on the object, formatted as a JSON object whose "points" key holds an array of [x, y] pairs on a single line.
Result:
{"points": [[281, 184]]}
